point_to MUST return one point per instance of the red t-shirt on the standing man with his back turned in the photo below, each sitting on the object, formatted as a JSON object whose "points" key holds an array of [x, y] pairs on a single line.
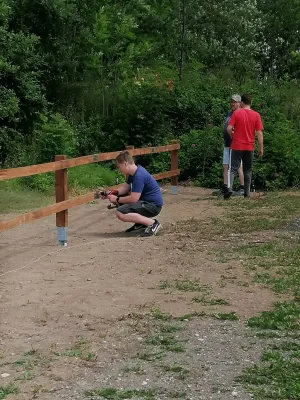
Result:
{"points": [[245, 122]]}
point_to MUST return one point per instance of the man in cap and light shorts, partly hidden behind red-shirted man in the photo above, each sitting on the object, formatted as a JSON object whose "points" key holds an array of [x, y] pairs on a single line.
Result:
{"points": [[235, 103]]}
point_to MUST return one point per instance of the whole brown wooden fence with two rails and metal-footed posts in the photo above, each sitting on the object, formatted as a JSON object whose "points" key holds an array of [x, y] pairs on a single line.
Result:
{"points": [[60, 166]]}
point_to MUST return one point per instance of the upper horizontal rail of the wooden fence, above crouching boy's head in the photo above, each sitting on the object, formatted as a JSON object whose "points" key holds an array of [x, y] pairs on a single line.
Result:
{"points": [[74, 162]]}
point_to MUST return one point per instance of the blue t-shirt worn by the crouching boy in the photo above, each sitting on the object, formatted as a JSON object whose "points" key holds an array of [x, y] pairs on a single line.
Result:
{"points": [[144, 183]]}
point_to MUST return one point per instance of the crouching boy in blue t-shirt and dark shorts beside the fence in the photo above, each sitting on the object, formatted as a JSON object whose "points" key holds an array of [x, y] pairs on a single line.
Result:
{"points": [[139, 199]]}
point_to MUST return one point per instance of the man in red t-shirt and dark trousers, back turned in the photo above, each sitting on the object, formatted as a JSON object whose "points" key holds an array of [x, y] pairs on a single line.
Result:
{"points": [[243, 126]]}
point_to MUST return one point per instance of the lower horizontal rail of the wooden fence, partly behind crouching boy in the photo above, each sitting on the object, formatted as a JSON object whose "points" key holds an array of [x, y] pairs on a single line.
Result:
{"points": [[64, 205]]}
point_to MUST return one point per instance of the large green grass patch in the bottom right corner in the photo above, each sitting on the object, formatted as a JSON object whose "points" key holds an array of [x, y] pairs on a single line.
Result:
{"points": [[277, 377]]}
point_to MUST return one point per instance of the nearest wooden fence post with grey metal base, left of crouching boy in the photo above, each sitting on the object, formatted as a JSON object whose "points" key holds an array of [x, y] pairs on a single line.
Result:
{"points": [[61, 194]]}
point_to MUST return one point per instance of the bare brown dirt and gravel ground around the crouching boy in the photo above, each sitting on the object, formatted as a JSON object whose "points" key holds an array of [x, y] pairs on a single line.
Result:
{"points": [[75, 319]]}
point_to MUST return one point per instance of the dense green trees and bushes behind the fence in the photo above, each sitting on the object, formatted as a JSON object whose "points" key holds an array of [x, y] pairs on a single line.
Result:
{"points": [[81, 76]]}
